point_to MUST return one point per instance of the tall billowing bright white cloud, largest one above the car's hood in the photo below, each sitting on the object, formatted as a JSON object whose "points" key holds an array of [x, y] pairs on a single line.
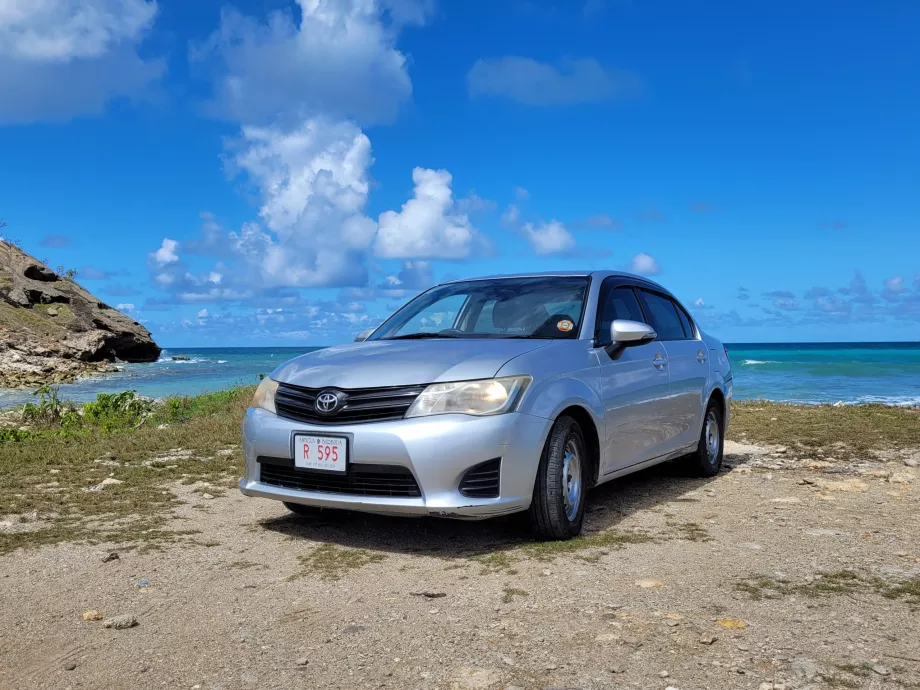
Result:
{"points": [[313, 181]]}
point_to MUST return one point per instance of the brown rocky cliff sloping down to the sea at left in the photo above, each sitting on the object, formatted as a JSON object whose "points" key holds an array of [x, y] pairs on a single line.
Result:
{"points": [[52, 330]]}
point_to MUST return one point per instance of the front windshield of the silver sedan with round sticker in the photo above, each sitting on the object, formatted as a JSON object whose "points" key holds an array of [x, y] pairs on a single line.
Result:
{"points": [[538, 307]]}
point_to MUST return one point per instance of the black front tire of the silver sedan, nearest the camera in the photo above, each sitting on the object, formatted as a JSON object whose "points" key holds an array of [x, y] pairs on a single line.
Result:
{"points": [[553, 517]]}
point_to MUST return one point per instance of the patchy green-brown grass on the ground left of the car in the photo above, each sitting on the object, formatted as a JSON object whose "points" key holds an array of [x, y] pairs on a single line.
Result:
{"points": [[137, 509]]}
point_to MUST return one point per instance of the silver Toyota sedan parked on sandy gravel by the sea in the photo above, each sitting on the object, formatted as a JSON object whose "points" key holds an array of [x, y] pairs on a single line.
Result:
{"points": [[492, 396]]}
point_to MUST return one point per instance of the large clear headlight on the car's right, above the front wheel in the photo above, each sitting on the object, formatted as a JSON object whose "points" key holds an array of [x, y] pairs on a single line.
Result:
{"points": [[485, 397]]}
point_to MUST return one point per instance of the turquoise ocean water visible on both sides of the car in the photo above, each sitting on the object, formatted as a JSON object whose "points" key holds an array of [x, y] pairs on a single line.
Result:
{"points": [[849, 373]]}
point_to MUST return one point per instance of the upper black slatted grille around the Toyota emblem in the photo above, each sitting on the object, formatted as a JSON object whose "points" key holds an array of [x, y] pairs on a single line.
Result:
{"points": [[360, 404]]}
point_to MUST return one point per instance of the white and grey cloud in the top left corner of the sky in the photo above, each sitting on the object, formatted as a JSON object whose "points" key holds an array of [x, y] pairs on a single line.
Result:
{"points": [[63, 58]]}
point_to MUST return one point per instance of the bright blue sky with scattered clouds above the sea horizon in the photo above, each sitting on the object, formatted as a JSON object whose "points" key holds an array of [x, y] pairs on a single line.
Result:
{"points": [[271, 172]]}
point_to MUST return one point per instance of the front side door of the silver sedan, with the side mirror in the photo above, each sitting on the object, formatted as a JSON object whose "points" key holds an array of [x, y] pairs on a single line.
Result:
{"points": [[635, 385]]}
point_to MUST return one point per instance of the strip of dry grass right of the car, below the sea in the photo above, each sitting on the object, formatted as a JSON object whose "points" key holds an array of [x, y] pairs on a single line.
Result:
{"points": [[845, 432]]}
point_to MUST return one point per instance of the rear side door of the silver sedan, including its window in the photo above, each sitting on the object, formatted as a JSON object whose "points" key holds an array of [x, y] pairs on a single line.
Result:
{"points": [[688, 363]]}
